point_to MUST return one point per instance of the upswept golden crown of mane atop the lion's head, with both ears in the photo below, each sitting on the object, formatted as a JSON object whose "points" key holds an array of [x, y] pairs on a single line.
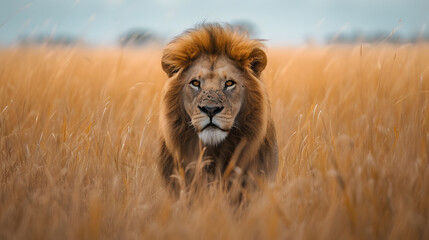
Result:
{"points": [[215, 40]]}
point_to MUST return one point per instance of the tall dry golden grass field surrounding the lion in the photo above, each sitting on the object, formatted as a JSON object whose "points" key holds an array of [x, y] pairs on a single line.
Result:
{"points": [[78, 141]]}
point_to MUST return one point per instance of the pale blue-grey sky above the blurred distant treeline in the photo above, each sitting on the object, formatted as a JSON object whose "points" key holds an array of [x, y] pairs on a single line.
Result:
{"points": [[280, 22]]}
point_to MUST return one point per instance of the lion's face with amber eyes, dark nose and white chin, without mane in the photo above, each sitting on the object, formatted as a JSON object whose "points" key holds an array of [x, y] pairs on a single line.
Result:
{"points": [[213, 95]]}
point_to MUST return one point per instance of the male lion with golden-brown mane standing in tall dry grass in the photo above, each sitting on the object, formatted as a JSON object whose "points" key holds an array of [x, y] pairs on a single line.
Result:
{"points": [[215, 105]]}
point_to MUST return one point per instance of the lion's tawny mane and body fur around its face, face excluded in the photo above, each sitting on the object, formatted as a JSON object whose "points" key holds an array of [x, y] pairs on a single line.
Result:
{"points": [[180, 142]]}
